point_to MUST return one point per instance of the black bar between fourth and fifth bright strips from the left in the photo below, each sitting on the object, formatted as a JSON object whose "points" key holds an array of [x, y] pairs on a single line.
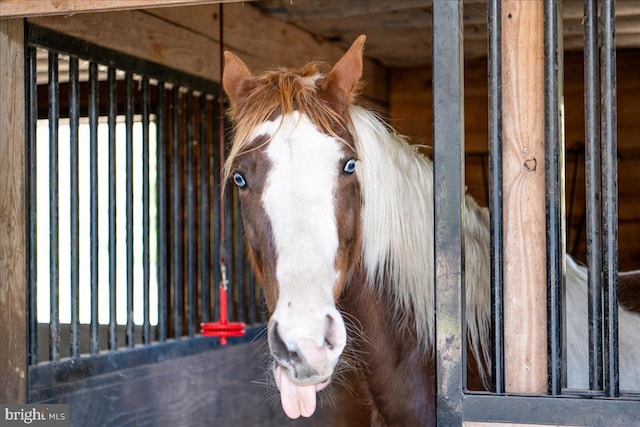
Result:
{"points": [[111, 124]]}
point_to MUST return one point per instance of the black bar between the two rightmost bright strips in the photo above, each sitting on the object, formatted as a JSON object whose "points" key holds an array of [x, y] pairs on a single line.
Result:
{"points": [[146, 246]]}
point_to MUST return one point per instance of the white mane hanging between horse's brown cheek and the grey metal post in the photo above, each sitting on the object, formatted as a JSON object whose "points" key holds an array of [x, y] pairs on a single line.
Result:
{"points": [[397, 221]]}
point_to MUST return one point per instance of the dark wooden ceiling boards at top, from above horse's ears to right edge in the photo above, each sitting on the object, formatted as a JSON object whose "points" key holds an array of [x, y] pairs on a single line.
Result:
{"points": [[399, 32]]}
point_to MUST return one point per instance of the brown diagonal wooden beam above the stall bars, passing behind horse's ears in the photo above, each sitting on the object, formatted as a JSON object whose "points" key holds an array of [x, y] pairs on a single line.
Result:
{"points": [[187, 39]]}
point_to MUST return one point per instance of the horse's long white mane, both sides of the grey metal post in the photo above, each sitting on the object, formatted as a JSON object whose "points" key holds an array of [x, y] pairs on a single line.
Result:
{"points": [[398, 224]]}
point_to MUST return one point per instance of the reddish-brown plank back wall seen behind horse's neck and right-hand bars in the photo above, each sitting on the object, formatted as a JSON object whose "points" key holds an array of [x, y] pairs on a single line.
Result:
{"points": [[410, 111]]}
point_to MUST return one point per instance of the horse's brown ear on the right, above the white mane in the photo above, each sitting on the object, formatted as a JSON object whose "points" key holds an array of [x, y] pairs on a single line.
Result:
{"points": [[346, 73]]}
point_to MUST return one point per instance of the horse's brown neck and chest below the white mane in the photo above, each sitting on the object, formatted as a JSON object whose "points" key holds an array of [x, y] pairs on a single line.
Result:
{"points": [[397, 376]]}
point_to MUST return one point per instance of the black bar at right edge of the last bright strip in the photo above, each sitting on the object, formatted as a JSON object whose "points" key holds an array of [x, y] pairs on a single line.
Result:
{"points": [[161, 148]]}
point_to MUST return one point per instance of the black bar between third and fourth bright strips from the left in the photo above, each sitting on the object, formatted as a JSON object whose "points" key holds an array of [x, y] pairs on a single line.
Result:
{"points": [[93, 204]]}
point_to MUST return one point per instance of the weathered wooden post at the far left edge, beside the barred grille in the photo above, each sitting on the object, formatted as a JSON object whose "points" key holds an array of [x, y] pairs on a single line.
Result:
{"points": [[13, 266]]}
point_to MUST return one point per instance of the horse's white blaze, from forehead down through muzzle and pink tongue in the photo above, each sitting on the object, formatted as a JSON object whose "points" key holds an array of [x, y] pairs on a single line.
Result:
{"points": [[299, 200]]}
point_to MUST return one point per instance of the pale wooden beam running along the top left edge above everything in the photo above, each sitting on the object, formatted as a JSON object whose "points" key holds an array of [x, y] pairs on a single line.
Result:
{"points": [[27, 8]]}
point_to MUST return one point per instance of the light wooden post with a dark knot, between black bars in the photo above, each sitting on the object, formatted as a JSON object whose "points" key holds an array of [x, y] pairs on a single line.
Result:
{"points": [[525, 312]]}
